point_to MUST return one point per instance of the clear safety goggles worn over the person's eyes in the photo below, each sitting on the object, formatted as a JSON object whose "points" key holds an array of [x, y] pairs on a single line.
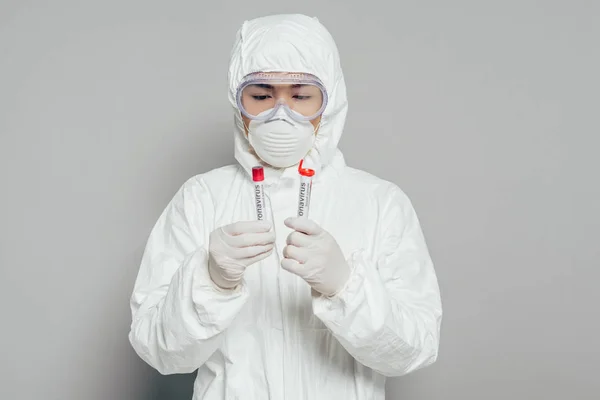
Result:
{"points": [[261, 95]]}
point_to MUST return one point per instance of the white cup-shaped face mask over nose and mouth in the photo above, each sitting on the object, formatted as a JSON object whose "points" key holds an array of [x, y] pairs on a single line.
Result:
{"points": [[281, 141]]}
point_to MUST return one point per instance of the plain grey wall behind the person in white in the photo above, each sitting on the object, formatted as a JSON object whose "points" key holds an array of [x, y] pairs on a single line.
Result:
{"points": [[485, 113]]}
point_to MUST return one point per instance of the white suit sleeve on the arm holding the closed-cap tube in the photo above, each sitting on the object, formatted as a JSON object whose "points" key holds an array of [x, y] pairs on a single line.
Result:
{"points": [[178, 314]]}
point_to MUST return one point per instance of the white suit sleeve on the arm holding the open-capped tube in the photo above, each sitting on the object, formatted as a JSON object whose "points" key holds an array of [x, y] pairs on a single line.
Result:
{"points": [[388, 316]]}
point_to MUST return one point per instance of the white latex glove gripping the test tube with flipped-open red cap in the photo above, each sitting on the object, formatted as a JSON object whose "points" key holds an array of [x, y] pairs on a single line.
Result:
{"points": [[315, 256]]}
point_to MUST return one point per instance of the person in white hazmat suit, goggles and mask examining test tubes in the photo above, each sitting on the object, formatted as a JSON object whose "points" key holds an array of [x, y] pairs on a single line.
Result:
{"points": [[320, 307]]}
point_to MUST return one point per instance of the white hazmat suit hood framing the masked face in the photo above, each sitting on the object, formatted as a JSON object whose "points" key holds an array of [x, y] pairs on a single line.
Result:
{"points": [[290, 43]]}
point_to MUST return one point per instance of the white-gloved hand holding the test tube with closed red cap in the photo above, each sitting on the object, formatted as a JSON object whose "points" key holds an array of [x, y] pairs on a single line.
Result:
{"points": [[234, 247]]}
